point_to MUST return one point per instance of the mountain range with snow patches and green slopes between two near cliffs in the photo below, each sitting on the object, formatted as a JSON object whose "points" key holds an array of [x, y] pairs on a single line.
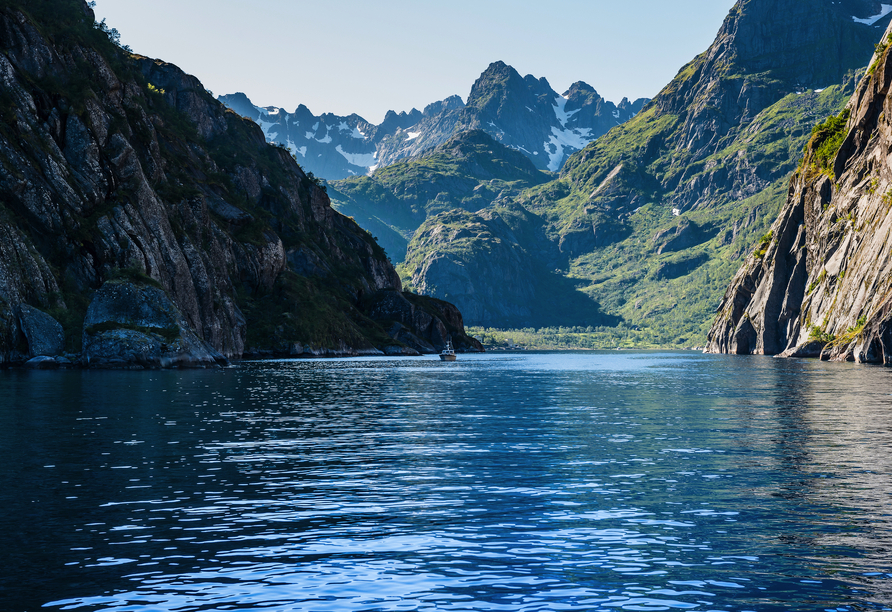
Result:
{"points": [[632, 239]]}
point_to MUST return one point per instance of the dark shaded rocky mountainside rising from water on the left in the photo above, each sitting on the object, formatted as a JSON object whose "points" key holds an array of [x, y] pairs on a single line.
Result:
{"points": [[145, 225]]}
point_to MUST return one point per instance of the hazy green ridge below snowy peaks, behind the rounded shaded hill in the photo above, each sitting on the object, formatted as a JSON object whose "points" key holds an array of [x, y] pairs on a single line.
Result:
{"points": [[469, 171]]}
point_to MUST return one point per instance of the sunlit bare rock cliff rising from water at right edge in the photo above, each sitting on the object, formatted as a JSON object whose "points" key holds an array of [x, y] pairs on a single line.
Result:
{"points": [[819, 283]]}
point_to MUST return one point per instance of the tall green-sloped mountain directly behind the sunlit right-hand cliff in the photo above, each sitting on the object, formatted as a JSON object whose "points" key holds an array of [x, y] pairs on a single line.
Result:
{"points": [[652, 219]]}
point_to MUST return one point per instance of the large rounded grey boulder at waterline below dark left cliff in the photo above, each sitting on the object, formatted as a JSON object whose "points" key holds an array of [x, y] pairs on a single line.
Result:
{"points": [[131, 324]]}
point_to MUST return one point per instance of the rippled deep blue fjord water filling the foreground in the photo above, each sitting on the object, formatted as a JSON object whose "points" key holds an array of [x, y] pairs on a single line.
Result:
{"points": [[563, 481]]}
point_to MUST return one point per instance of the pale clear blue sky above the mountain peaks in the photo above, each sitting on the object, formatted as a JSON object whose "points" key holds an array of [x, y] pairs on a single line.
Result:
{"points": [[368, 57]]}
